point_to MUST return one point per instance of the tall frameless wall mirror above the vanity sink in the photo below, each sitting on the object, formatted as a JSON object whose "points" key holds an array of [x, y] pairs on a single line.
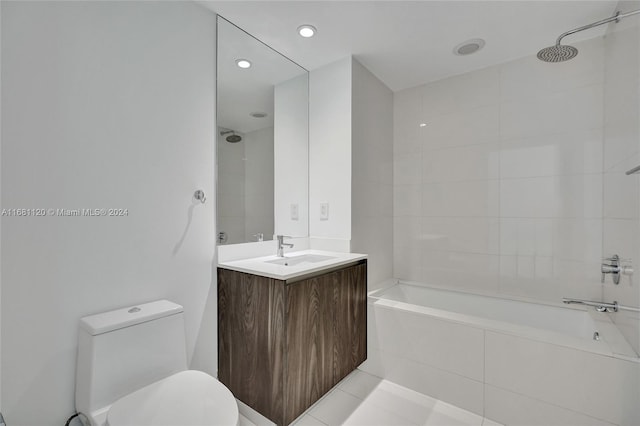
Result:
{"points": [[262, 140]]}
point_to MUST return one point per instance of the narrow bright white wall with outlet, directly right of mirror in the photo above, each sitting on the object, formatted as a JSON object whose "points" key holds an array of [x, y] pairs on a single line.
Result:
{"points": [[330, 150]]}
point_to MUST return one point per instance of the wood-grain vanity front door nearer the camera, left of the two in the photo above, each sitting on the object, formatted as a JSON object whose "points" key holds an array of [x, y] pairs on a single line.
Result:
{"points": [[309, 342]]}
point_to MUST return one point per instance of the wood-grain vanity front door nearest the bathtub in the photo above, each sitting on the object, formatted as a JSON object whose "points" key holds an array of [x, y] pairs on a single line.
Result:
{"points": [[350, 300]]}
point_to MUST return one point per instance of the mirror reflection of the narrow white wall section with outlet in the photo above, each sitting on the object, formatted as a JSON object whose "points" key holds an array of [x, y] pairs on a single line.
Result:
{"points": [[291, 156]]}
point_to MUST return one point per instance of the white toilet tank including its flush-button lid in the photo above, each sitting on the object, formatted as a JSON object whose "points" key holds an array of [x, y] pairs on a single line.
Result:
{"points": [[124, 350]]}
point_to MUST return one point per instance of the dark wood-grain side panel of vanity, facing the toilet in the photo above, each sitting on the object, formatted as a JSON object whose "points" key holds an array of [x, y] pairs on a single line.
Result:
{"points": [[251, 340]]}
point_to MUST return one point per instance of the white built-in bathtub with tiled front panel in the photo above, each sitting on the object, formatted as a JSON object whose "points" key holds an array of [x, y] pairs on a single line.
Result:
{"points": [[511, 360]]}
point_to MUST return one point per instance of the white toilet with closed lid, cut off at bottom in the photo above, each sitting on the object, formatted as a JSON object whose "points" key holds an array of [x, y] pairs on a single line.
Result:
{"points": [[132, 371]]}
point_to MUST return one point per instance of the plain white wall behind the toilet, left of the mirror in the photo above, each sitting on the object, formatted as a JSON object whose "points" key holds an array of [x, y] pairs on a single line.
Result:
{"points": [[104, 105]]}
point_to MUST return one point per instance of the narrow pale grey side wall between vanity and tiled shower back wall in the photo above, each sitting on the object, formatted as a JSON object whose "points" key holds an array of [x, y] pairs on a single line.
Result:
{"points": [[372, 173]]}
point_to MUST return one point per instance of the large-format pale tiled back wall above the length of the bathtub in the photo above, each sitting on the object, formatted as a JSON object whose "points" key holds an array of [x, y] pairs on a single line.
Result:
{"points": [[498, 179]]}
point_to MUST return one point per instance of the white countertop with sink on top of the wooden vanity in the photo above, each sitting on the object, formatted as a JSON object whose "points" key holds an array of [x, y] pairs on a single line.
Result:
{"points": [[260, 265]]}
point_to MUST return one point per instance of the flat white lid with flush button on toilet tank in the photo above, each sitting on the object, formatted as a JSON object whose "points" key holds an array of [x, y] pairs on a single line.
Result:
{"points": [[126, 317]]}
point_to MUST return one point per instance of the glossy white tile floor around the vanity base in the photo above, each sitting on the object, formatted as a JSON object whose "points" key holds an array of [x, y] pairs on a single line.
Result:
{"points": [[363, 399]]}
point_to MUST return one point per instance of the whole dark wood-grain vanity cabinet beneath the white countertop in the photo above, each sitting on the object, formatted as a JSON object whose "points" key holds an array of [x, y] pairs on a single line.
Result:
{"points": [[284, 344]]}
